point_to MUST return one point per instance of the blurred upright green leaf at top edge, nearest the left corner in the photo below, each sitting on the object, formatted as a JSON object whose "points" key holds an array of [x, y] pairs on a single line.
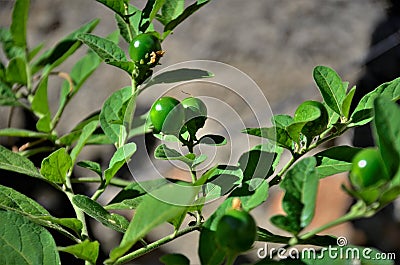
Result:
{"points": [[19, 22]]}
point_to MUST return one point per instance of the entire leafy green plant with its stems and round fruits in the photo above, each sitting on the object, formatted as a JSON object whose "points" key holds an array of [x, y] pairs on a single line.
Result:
{"points": [[24, 84]]}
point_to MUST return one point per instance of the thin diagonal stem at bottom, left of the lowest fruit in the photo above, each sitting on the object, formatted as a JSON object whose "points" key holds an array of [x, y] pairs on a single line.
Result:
{"points": [[144, 250]]}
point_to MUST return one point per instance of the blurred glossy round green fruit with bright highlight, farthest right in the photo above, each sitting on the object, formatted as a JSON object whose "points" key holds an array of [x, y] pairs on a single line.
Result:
{"points": [[367, 169]]}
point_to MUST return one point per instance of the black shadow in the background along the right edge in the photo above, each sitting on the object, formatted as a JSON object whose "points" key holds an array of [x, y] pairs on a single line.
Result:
{"points": [[382, 64]]}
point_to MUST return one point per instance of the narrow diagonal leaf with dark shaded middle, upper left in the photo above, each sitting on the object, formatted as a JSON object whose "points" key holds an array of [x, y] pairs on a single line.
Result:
{"points": [[63, 49]]}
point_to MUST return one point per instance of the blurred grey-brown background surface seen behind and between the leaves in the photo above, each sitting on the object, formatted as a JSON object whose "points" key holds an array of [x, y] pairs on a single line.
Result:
{"points": [[276, 42]]}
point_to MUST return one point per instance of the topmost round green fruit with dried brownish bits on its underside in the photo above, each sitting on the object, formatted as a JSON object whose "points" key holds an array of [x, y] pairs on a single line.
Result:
{"points": [[145, 49]]}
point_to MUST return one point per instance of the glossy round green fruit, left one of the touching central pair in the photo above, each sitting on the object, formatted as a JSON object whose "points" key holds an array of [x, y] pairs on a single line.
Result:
{"points": [[167, 115]]}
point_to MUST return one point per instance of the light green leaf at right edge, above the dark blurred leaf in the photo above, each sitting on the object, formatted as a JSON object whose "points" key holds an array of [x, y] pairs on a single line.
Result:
{"points": [[363, 113]]}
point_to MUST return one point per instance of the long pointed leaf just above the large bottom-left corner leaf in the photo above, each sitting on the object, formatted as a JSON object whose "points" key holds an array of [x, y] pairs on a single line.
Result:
{"points": [[12, 200]]}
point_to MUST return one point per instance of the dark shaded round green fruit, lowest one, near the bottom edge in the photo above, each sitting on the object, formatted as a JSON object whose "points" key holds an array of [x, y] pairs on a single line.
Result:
{"points": [[236, 231]]}
